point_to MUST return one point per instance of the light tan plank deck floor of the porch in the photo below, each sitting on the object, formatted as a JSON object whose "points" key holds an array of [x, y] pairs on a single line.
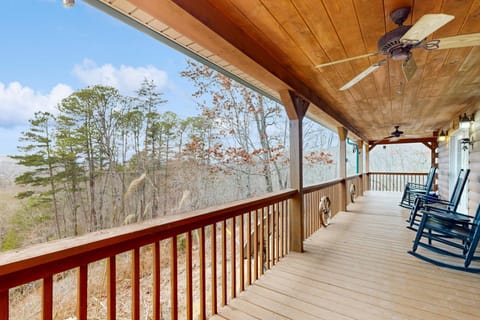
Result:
{"points": [[358, 268]]}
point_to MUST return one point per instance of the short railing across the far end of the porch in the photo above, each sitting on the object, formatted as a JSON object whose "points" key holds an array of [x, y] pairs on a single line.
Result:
{"points": [[393, 181]]}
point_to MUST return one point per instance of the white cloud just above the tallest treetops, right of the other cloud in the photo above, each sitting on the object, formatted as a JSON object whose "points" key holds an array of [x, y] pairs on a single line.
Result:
{"points": [[126, 79]]}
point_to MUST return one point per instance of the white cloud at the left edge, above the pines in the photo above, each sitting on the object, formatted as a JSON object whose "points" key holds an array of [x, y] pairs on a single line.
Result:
{"points": [[18, 103]]}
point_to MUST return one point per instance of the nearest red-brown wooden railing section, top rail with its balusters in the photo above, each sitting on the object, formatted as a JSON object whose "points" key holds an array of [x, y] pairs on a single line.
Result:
{"points": [[43, 261]]}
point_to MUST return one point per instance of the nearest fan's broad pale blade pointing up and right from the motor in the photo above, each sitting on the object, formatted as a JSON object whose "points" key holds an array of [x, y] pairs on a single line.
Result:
{"points": [[425, 26]]}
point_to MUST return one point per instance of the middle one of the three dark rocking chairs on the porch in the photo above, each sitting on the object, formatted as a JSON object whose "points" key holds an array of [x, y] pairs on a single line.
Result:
{"points": [[425, 202]]}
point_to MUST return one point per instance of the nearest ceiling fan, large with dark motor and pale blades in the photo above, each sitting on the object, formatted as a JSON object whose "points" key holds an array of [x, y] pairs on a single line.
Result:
{"points": [[398, 43]]}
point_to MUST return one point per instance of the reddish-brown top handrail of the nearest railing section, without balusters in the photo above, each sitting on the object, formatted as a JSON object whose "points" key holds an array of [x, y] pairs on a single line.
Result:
{"points": [[61, 255]]}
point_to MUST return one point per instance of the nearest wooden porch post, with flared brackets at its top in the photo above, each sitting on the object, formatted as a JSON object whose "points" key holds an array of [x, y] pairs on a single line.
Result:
{"points": [[296, 108]]}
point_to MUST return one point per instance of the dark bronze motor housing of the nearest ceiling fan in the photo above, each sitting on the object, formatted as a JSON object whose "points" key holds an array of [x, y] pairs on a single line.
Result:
{"points": [[391, 46]]}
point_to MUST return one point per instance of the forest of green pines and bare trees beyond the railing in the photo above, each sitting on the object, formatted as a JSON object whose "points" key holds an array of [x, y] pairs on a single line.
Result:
{"points": [[104, 159]]}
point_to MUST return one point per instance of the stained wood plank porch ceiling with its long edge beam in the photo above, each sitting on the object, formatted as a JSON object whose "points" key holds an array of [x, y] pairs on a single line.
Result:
{"points": [[276, 44]]}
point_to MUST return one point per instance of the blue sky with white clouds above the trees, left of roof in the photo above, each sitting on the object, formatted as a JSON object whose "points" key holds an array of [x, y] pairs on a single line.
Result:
{"points": [[49, 51]]}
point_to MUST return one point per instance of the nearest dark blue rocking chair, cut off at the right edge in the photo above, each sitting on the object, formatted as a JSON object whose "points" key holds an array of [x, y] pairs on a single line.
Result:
{"points": [[455, 234]]}
